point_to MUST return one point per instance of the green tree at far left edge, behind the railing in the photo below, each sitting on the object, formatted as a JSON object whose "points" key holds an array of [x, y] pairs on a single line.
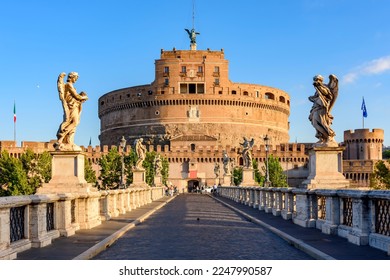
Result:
{"points": [[13, 178]]}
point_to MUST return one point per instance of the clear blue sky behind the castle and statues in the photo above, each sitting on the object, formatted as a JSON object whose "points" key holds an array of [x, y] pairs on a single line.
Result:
{"points": [[113, 44]]}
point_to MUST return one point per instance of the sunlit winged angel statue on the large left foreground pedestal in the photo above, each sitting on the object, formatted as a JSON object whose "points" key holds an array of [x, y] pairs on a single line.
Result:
{"points": [[71, 104]]}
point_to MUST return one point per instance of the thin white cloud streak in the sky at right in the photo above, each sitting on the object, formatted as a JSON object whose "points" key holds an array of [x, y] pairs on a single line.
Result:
{"points": [[373, 67]]}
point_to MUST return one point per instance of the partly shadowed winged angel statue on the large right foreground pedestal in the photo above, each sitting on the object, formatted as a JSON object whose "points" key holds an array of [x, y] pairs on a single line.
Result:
{"points": [[320, 113]]}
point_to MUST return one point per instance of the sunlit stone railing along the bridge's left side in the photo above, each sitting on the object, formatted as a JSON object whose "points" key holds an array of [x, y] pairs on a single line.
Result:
{"points": [[34, 221]]}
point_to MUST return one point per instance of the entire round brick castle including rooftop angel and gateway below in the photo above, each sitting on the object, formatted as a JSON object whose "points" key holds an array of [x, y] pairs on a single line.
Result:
{"points": [[192, 112]]}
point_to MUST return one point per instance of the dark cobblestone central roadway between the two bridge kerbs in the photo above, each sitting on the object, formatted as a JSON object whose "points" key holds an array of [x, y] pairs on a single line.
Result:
{"points": [[196, 227]]}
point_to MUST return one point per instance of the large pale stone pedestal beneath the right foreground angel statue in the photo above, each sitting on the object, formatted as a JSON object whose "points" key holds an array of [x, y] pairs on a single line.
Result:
{"points": [[325, 169]]}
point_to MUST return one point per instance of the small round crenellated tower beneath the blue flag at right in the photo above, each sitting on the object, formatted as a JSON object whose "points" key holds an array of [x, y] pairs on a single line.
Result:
{"points": [[363, 144]]}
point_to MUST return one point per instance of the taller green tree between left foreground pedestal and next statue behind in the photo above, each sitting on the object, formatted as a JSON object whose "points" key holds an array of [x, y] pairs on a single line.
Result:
{"points": [[110, 169]]}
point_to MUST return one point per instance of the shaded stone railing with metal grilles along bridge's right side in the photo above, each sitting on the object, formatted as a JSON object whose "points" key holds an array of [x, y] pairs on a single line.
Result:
{"points": [[363, 217]]}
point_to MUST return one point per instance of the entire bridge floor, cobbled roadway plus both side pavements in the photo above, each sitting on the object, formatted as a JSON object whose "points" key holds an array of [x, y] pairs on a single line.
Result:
{"points": [[200, 227]]}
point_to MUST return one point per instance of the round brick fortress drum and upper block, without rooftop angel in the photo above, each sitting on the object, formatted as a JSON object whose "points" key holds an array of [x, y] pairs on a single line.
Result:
{"points": [[192, 96]]}
